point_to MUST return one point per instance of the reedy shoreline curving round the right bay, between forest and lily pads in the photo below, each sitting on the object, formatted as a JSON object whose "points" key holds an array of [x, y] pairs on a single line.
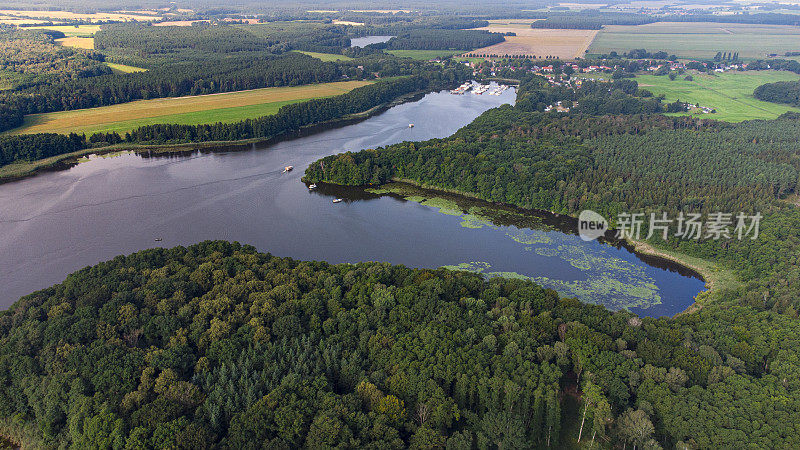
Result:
{"points": [[712, 274]]}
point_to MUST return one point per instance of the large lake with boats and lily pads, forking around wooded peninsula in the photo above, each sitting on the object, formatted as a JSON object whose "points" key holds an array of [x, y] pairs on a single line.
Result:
{"points": [[58, 222]]}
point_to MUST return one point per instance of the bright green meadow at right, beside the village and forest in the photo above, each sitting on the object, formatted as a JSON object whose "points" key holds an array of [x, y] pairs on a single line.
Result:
{"points": [[730, 93]]}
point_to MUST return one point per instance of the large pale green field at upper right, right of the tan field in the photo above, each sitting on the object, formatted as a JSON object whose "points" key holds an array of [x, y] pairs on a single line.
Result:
{"points": [[699, 39]]}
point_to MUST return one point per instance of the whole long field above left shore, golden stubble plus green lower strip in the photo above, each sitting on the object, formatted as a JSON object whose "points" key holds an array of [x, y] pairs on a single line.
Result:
{"points": [[226, 107]]}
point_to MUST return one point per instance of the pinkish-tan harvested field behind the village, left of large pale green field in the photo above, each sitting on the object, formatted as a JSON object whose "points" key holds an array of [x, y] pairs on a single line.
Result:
{"points": [[540, 42]]}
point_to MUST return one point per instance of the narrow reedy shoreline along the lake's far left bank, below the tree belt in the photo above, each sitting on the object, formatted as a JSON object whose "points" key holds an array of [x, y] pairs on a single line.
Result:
{"points": [[20, 170]]}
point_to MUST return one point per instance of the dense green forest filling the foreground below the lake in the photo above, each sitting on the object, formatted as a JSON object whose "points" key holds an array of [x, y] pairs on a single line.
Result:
{"points": [[216, 345]]}
